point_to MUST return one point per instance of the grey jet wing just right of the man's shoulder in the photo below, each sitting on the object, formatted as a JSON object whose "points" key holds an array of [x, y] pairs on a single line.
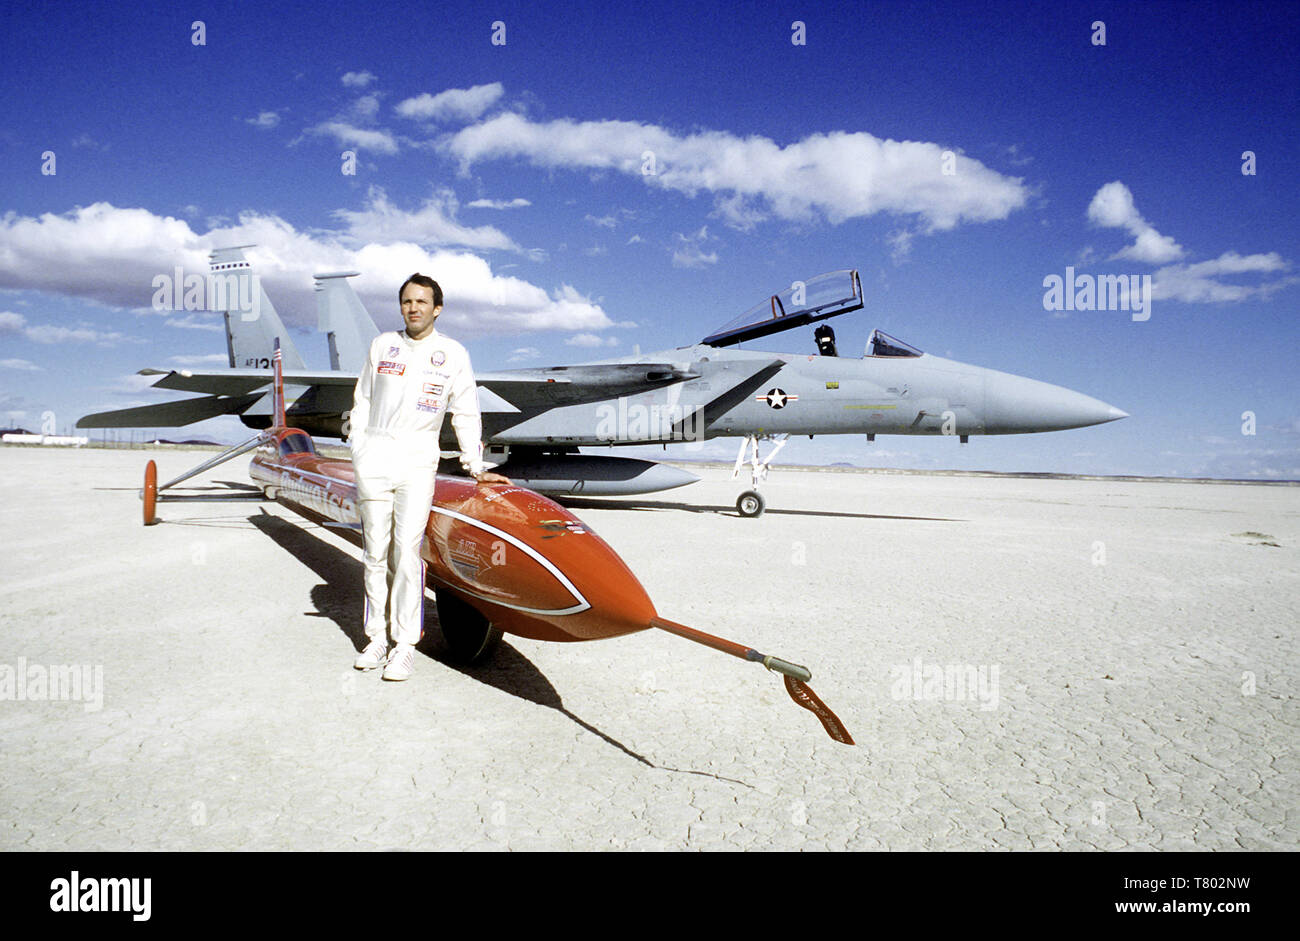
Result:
{"points": [[552, 387]]}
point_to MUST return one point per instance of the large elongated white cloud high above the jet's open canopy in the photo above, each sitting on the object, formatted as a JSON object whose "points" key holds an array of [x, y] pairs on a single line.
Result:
{"points": [[837, 176]]}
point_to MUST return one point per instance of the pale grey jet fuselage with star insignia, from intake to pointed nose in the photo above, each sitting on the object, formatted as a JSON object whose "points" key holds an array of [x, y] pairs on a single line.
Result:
{"points": [[743, 393]]}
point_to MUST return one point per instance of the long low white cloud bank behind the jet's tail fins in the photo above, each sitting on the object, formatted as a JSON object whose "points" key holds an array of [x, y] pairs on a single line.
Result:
{"points": [[118, 254]]}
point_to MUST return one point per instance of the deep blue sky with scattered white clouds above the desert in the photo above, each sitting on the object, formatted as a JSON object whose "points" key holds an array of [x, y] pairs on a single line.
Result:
{"points": [[515, 175]]}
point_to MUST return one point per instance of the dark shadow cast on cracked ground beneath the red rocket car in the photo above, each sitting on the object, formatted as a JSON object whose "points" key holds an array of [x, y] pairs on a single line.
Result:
{"points": [[341, 597]]}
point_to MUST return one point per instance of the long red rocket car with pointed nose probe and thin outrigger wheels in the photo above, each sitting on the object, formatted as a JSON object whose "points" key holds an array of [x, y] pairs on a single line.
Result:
{"points": [[500, 558]]}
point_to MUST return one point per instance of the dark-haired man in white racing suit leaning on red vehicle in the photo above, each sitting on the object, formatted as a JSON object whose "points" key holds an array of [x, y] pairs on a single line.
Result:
{"points": [[410, 380]]}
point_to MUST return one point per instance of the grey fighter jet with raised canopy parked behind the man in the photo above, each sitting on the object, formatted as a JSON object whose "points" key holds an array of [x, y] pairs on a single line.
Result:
{"points": [[536, 420]]}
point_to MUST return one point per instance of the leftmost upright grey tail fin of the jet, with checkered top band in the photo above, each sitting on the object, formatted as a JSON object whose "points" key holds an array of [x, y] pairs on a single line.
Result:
{"points": [[253, 324]]}
